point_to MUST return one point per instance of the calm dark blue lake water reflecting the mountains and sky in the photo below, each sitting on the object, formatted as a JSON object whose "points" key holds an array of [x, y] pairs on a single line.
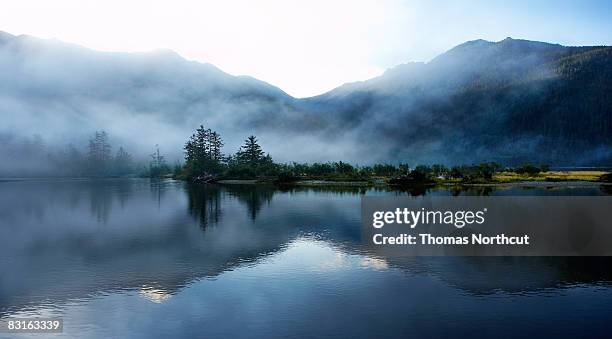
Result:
{"points": [[133, 257]]}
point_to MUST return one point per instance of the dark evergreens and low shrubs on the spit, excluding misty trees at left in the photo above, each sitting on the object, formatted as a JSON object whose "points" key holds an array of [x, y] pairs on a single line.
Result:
{"points": [[204, 161]]}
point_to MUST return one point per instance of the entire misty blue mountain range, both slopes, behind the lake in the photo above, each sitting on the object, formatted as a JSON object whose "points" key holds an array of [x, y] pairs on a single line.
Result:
{"points": [[510, 101]]}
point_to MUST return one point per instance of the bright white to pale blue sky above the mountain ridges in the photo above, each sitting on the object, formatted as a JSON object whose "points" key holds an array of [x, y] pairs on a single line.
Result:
{"points": [[305, 47]]}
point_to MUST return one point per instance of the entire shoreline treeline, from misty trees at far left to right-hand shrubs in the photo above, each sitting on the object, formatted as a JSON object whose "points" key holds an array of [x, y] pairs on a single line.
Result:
{"points": [[205, 161]]}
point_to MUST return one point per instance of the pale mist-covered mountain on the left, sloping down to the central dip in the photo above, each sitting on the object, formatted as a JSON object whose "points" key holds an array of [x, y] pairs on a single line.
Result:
{"points": [[65, 92]]}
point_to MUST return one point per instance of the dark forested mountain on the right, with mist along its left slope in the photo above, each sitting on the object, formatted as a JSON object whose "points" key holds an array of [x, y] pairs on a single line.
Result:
{"points": [[511, 101]]}
